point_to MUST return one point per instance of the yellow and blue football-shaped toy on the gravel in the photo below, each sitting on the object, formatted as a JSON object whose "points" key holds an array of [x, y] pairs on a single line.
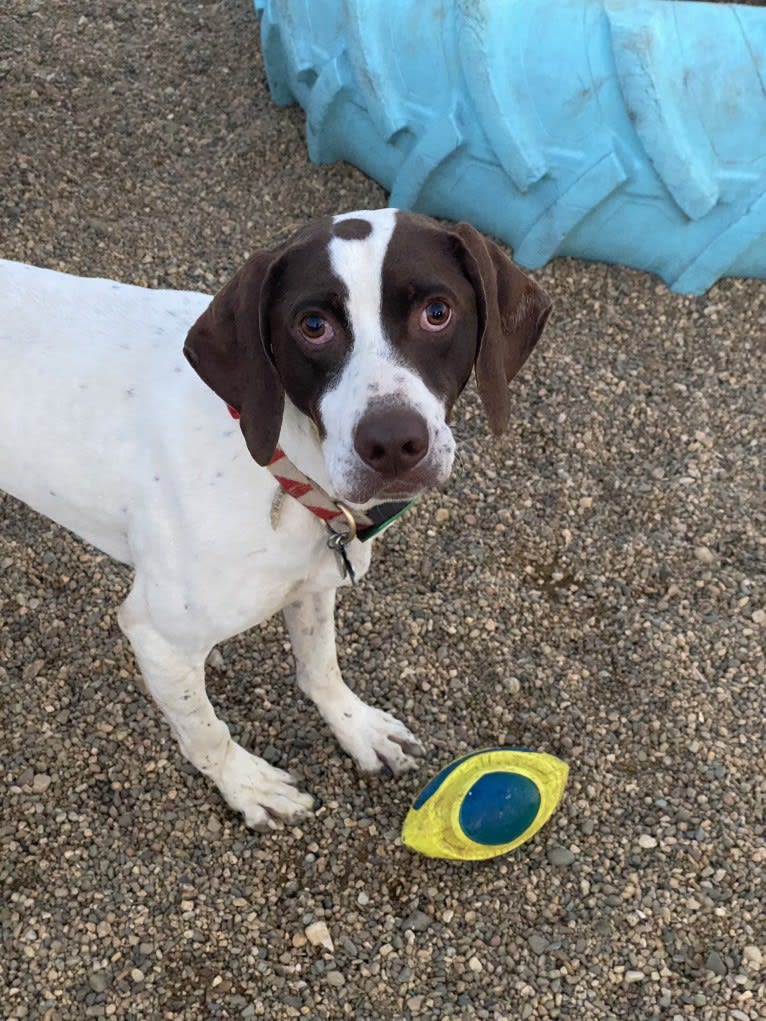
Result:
{"points": [[486, 804]]}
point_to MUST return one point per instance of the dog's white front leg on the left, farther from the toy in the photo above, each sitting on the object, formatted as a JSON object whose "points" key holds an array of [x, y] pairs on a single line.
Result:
{"points": [[174, 672]]}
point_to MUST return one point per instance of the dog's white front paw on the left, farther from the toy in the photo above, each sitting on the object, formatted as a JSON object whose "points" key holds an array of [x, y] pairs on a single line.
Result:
{"points": [[267, 797]]}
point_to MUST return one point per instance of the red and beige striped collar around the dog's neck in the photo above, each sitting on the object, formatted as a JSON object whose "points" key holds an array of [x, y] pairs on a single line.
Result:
{"points": [[353, 524]]}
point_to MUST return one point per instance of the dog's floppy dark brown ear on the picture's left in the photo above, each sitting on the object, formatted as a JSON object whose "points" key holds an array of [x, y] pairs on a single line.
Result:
{"points": [[229, 349]]}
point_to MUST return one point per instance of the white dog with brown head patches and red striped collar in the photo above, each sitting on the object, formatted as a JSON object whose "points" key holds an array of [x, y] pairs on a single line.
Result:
{"points": [[340, 355]]}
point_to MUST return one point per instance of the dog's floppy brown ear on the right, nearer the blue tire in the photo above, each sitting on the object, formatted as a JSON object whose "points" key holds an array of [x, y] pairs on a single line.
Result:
{"points": [[513, 311]]}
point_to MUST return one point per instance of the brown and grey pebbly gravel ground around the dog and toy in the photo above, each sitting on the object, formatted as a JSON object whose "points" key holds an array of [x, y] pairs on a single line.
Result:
{"points": [[592, 586]]}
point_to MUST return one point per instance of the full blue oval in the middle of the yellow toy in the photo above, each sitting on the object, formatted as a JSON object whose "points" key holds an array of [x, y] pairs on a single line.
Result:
{"points": [[499, 808]]}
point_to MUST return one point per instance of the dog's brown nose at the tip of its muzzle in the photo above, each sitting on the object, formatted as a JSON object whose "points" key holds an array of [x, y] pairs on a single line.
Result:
{"points": [[392, 442]]}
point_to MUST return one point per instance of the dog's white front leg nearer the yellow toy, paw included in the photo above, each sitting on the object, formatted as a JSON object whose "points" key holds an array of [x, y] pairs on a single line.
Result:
{"points": [[375, 740]]}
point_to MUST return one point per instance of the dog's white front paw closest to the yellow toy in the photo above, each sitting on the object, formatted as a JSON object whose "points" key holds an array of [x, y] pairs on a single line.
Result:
{"points": [[376, 741]]}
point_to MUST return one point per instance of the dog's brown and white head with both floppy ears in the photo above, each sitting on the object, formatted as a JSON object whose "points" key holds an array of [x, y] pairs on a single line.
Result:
{"points": [[370, 324]]}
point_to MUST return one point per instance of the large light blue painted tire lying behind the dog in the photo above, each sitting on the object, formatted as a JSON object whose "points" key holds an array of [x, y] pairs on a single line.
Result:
{"points": [[623, 131]]}
